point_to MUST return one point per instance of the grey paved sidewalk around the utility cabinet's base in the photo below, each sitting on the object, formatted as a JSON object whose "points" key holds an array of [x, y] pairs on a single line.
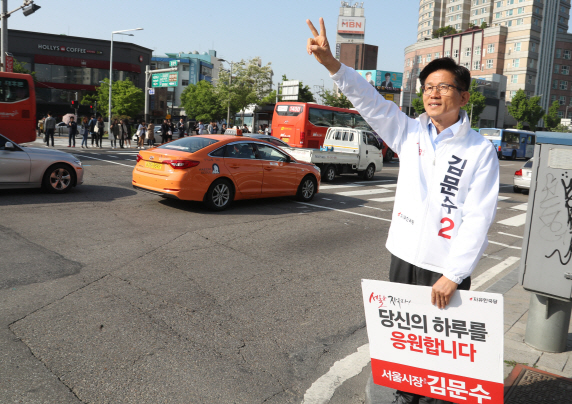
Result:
{"points": [[516, 301]]}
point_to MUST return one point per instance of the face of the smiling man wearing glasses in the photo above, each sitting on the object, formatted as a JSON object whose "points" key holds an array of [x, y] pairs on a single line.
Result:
{"points": [[444, 107]]}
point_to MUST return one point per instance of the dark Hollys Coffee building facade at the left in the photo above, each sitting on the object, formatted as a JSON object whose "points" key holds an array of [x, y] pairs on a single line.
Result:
{"points": [[67, 67]]}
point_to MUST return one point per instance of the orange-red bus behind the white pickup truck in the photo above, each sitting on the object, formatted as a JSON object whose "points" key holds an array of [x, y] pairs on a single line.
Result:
{"points": [[305, 125]]}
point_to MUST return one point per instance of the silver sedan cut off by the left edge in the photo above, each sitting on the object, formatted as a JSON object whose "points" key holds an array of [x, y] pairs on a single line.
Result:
{"points": [[30, 167]]}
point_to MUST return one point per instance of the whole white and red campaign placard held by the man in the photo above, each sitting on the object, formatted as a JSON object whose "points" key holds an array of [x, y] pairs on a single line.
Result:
{"points": [[454, 354]]}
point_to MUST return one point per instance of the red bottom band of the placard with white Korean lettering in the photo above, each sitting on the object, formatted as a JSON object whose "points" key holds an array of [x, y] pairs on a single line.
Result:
{"points": [[428, 383]]}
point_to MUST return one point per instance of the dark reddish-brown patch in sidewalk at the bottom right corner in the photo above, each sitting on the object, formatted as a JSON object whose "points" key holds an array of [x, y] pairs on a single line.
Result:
{"points": [[532, 386]]}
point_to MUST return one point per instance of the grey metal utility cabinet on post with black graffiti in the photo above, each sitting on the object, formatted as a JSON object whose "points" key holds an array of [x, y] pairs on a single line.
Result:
{"points": [[546, 262]]}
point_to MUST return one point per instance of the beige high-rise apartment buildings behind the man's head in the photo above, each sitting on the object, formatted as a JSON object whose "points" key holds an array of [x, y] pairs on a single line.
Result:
{"points": [[523, 40]]}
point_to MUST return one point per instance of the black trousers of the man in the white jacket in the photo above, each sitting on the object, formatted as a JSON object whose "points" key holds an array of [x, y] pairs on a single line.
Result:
{"points": [[401, 271]]}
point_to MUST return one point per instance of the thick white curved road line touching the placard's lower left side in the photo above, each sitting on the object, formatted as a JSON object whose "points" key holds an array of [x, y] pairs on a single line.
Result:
{"points": [[322, 390]]}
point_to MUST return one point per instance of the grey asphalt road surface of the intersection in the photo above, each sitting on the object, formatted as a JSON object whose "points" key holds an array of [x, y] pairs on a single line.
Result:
{"points": [[110, 295]]}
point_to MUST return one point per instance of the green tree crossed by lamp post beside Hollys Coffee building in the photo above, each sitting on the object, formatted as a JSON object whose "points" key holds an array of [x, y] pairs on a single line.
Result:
{"points": [[127, 100]]}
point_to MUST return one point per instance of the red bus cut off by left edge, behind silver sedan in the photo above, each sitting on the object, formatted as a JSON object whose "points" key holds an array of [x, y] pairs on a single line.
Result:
{"points": [[17, 107]]}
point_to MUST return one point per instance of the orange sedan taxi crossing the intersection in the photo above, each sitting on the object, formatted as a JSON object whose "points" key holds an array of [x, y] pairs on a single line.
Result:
{"points": [[218, 169]]}
